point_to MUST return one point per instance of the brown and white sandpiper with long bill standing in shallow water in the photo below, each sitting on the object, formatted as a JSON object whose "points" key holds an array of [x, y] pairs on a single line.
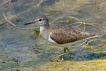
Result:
{"points": [[59, 34]]}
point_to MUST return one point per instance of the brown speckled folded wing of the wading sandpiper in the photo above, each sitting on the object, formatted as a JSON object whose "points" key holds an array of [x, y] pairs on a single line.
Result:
{"points": [[66, 35]]}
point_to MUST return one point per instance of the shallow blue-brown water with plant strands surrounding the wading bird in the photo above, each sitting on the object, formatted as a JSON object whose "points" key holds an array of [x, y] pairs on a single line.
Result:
{"points": [[19, 47]]}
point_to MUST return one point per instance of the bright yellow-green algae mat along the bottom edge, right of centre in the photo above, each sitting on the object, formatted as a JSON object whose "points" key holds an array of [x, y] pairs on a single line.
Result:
{"points": [[95, 65]]}
